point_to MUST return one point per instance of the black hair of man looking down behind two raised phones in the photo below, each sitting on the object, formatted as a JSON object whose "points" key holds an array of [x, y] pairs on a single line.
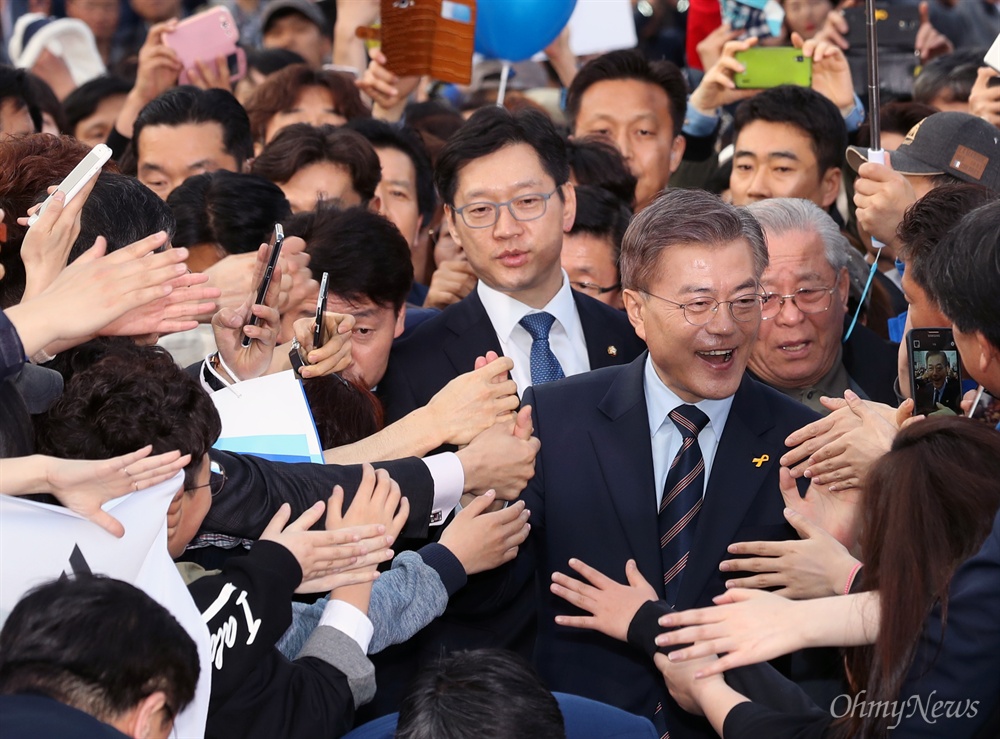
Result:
{"points": [[366, 255]]}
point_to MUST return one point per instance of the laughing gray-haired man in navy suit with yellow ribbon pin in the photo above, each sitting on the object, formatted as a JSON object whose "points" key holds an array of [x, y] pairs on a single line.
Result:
{"points": [[666, 460]]}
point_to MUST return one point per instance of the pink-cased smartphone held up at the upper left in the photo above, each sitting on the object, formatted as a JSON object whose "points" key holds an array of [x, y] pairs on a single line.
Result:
{"points": [[206, 36]]}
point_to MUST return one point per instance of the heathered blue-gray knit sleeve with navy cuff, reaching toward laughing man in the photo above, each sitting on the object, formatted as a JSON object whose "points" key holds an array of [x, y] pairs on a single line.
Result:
{"points": [[404, 600]]}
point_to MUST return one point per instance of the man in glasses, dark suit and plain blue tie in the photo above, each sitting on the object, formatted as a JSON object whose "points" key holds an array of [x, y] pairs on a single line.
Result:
{"points": [[504, 179]]}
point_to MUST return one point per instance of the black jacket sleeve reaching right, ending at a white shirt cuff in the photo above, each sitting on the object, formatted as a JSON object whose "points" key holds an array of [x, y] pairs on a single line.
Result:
{"points": [[255, 488]]}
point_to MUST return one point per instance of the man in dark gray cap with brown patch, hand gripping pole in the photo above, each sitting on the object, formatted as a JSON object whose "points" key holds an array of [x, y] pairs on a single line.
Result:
{"points": [[942, 148]]}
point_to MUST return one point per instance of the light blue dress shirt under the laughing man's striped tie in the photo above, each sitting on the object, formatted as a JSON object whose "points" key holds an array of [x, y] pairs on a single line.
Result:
{"points": [[666, 439]]}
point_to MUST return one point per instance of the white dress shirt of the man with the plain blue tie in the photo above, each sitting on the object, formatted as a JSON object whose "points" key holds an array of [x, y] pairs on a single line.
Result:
{"points": [[566, 338]]}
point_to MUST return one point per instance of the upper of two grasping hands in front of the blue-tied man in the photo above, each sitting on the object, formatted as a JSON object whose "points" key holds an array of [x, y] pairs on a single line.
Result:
{"points": [[474, 401]]}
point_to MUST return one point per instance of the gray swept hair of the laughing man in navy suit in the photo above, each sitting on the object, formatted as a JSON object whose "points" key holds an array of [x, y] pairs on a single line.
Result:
{"points": [[678, 217]]}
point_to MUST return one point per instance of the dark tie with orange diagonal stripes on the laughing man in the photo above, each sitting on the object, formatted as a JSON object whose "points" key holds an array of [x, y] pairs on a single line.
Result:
{"points": [[682, 496]]}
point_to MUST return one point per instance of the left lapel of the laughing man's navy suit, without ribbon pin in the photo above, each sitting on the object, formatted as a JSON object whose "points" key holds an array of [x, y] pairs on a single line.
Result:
{"points": [[623, 451]]}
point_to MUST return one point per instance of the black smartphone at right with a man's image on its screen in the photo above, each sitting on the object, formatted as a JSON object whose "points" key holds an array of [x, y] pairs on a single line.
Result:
{"points": [[935, 370]]}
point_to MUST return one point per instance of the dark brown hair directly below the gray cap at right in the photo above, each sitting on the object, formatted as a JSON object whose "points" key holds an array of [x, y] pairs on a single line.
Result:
{"points": [[928, 221]]}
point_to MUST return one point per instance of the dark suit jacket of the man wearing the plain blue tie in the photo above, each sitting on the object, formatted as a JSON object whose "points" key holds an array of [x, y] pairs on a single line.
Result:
{"points": [[445, 346]]}
